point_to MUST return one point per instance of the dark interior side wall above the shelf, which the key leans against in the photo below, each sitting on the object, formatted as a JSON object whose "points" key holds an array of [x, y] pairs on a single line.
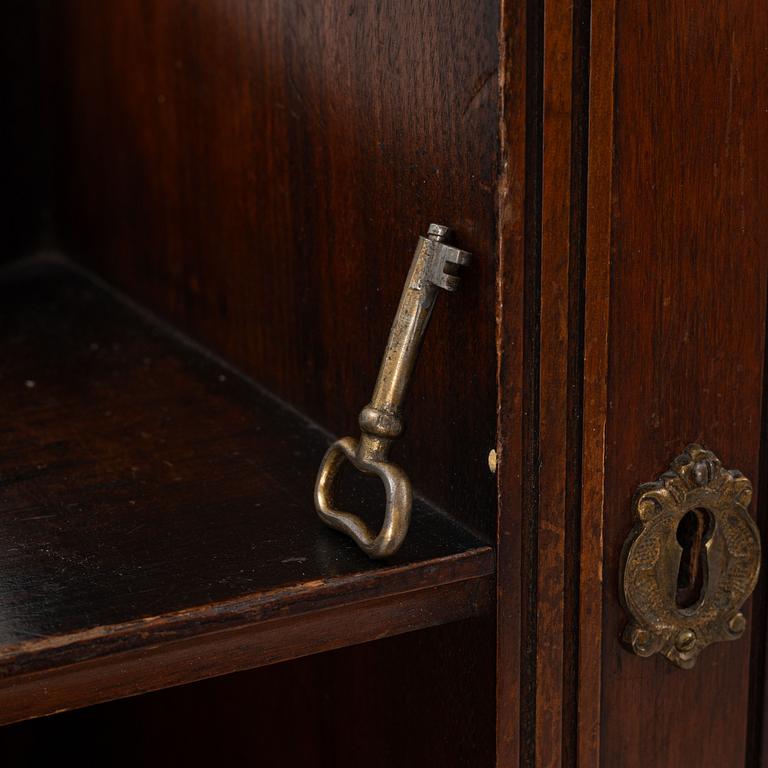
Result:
{"points": [[259, 174]]}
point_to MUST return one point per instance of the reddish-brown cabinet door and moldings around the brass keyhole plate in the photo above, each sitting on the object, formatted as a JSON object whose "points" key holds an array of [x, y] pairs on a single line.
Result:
{"points": [[646, 254]]}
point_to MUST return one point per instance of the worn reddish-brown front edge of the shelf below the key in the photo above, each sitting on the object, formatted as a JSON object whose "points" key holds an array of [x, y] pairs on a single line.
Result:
{"points": [[205, 653]]}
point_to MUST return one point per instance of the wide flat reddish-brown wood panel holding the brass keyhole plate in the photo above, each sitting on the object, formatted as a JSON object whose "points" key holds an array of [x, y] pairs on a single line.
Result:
{"points": [[687, 319]]}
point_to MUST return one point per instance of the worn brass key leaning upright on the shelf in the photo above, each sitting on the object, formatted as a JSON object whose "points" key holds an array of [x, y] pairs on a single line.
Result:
{"points": [[434, 266]]}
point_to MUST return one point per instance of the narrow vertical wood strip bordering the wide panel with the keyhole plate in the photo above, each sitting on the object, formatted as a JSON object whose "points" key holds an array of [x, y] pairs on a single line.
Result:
{"points": [[595, 403]]}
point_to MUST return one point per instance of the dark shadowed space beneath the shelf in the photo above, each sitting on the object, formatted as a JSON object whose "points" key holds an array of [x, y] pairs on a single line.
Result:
{"points": [[268, 716]]}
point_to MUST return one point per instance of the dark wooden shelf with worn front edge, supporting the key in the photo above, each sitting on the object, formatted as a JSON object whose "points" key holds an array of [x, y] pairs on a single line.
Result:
{"points": [[156, 517]]}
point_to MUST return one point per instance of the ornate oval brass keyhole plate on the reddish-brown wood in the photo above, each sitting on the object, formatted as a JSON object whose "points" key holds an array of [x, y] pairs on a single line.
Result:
{"points": [[691, 560]]}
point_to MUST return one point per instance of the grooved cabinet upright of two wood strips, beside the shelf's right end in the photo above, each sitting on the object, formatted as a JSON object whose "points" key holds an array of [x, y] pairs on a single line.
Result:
{"points": [[543, 262]]}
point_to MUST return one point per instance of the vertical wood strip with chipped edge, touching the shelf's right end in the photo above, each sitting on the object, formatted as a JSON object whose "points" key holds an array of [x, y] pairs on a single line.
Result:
{"points": [[509, 348]]}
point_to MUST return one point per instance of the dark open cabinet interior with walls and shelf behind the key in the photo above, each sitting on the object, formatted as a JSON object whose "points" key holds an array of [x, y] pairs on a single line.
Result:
{"points": [[215, 208]]}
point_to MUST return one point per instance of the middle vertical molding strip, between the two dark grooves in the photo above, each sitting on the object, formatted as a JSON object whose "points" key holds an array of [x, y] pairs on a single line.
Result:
{"points": [[553, 378]]}
